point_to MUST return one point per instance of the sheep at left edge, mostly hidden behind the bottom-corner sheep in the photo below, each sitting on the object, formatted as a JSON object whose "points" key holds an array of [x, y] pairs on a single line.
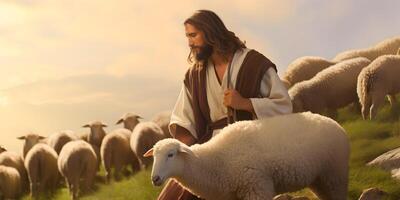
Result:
{"points": [[14, 160]]}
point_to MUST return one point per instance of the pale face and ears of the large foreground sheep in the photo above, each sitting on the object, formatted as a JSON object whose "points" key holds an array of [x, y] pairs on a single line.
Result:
{"points": [[168, 159]]}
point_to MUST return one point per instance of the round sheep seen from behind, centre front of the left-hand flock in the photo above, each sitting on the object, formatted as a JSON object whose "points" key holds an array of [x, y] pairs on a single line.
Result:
{"points": [[77, 160]]}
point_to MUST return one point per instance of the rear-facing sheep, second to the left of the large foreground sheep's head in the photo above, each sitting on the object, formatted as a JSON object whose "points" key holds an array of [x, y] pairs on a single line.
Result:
{"points": [[116, 153]]}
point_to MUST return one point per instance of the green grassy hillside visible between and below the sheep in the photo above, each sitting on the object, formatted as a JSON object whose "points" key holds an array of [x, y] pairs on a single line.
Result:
{"points": [[369, 139]]}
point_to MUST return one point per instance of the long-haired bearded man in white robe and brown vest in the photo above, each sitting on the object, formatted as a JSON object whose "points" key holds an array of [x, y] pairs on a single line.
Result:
{"points": [[226, 83]]}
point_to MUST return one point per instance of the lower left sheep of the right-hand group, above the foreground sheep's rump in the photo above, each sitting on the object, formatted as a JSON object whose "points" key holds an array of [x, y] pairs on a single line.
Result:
{"points": [[332, 88]]}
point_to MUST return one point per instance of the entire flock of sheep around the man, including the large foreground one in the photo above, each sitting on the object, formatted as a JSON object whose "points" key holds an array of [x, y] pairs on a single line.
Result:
{"points": [[226, 167]]}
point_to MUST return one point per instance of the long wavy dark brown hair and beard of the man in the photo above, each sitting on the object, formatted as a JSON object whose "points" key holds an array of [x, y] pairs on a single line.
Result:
{"points": [[216, 35]]}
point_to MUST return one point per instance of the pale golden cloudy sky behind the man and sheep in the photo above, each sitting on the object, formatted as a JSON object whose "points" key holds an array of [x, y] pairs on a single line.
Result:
{"points": [[65, 63]]}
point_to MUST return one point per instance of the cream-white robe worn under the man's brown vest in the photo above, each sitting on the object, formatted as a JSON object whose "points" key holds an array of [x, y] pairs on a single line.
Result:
{"points": [[275, 99]]}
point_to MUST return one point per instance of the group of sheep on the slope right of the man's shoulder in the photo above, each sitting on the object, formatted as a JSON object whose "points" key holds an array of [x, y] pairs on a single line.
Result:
{"points": [[365, 76]]}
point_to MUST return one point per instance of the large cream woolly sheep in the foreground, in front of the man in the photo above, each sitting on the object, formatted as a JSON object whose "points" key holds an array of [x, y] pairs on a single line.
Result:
{"points": [[258, 159]]}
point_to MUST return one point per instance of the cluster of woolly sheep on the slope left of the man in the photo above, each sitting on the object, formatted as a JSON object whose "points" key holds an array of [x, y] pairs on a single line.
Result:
{"points": [[77, 157]]}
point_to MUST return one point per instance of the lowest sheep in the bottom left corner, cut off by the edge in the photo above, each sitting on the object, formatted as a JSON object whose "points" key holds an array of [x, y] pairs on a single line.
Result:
{"points": [[10, 183]]}
